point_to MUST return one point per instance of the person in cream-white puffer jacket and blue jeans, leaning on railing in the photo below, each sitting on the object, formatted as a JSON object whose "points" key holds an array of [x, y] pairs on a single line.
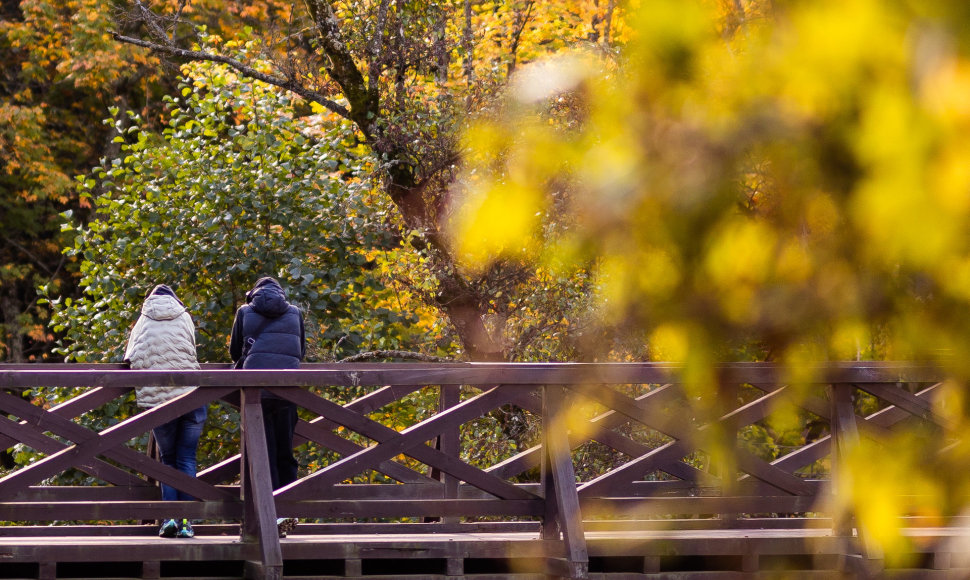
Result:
{"points": [[164, 338]]}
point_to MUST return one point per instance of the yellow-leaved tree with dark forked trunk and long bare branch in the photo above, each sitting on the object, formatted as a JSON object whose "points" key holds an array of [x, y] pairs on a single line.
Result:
{"points": [[407, 74]]}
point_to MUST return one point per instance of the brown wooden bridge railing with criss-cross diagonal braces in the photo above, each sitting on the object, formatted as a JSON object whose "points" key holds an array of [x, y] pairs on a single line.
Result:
{"points": [[645, 449]]}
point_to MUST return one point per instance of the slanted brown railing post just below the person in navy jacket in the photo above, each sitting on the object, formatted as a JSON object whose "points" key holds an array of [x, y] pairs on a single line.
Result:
{"points": [[259, 506]]}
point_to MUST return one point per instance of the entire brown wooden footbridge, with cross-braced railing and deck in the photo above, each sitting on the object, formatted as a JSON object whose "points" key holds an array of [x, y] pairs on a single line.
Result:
{"points": [[631, 486]]}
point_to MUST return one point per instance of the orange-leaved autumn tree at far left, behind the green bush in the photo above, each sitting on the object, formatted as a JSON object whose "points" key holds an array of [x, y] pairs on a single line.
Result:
{"points": [[61, 73]]}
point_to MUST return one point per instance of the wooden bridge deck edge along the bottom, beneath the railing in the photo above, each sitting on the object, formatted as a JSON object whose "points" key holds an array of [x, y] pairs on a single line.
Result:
{"points": [[614, 555]]}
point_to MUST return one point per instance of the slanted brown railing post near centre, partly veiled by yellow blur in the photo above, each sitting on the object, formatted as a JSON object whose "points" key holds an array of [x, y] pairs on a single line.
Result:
{"points": [[562, 512]]}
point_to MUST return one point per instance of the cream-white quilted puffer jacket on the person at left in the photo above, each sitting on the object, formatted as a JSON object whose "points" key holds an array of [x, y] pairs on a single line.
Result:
{"points": [[162, 338]]}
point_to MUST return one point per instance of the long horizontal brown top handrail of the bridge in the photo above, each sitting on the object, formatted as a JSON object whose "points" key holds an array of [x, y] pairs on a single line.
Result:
{"points": [[464, 374]]}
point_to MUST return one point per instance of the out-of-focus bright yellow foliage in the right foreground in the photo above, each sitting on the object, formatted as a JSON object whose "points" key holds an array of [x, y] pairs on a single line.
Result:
{"points": [[790, 180]]}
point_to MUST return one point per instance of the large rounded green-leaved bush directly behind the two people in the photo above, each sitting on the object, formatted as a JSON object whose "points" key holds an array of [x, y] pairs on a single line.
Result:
{"points": [[234, 188]]}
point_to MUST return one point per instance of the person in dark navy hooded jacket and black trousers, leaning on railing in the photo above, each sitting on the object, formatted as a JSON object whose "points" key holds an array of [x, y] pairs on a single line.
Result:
{"points": [[268, 333]]}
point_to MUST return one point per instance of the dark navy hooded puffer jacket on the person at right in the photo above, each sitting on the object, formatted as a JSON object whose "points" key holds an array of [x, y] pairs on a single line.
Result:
{"points": [[275, 325]]}
